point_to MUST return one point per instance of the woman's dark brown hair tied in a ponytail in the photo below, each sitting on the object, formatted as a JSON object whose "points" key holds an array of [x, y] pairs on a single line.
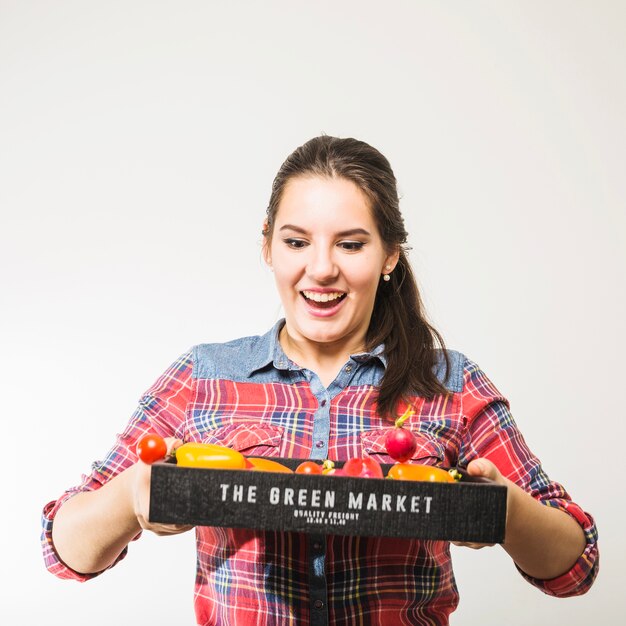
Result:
{"points": [[398, 318]]}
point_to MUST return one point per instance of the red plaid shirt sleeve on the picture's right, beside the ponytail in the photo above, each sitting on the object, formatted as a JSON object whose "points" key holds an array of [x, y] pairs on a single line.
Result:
{"points": [[491, 433]]}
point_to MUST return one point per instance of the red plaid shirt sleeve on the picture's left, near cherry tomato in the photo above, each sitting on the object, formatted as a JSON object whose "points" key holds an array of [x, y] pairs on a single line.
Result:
{"points": [[161, 410]]}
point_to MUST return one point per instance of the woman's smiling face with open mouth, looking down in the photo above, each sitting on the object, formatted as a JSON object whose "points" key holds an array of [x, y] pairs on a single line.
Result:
{"points": [[327, 257]]}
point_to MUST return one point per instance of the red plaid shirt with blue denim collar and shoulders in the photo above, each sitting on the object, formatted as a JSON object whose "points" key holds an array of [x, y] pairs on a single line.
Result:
{"points": [[248, 395]]}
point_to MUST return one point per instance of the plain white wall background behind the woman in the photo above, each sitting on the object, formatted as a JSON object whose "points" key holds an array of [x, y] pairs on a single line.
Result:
{"points": [[138, 142]]}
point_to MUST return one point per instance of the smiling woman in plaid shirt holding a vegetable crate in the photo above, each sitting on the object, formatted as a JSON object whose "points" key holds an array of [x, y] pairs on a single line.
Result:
{"points": [[353, 351]]}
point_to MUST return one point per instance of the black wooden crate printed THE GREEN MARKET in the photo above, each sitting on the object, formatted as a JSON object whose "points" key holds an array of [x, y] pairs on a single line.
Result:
{"points": [[469, 510]]}
